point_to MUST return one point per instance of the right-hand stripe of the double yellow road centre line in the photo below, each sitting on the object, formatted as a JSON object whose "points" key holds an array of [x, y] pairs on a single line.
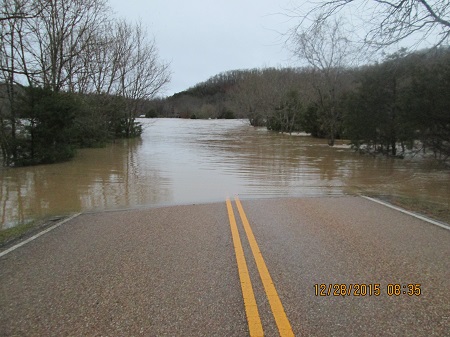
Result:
{"points": [[284, 327]]}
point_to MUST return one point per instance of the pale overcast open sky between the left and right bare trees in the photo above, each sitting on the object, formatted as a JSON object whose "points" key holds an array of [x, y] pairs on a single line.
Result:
{"points": [[201, 38]]}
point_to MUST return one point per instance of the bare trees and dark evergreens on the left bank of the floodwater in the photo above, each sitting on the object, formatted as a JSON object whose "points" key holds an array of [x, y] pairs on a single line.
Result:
{"points": [[72, 75]]}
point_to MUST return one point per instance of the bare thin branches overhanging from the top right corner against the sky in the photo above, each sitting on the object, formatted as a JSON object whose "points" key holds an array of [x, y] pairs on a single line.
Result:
{"points": [[387, 22]]}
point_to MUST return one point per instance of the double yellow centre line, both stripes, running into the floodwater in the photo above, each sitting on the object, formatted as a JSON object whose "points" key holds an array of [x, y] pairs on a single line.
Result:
{"points": [[251, 309]]}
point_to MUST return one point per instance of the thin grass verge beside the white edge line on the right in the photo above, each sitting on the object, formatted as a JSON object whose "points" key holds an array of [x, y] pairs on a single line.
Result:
{"points": [[431, 209]]}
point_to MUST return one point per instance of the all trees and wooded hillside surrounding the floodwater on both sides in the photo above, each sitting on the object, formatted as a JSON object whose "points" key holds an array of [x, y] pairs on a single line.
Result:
{"points": [[73, 75]]}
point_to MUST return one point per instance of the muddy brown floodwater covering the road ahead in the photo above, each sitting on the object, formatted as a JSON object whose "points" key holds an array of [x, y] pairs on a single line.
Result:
{"points": [[195, 161]]}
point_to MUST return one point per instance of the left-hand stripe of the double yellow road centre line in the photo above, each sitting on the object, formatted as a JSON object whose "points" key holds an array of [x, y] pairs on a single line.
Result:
{"points": [[251, 309]]}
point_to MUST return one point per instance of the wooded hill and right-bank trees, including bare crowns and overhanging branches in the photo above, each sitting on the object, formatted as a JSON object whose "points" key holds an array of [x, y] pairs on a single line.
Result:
{"points": [[390, 106]]}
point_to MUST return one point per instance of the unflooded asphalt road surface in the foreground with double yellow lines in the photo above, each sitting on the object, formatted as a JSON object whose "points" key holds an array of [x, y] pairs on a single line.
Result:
{"points": [[341, 266]]}
